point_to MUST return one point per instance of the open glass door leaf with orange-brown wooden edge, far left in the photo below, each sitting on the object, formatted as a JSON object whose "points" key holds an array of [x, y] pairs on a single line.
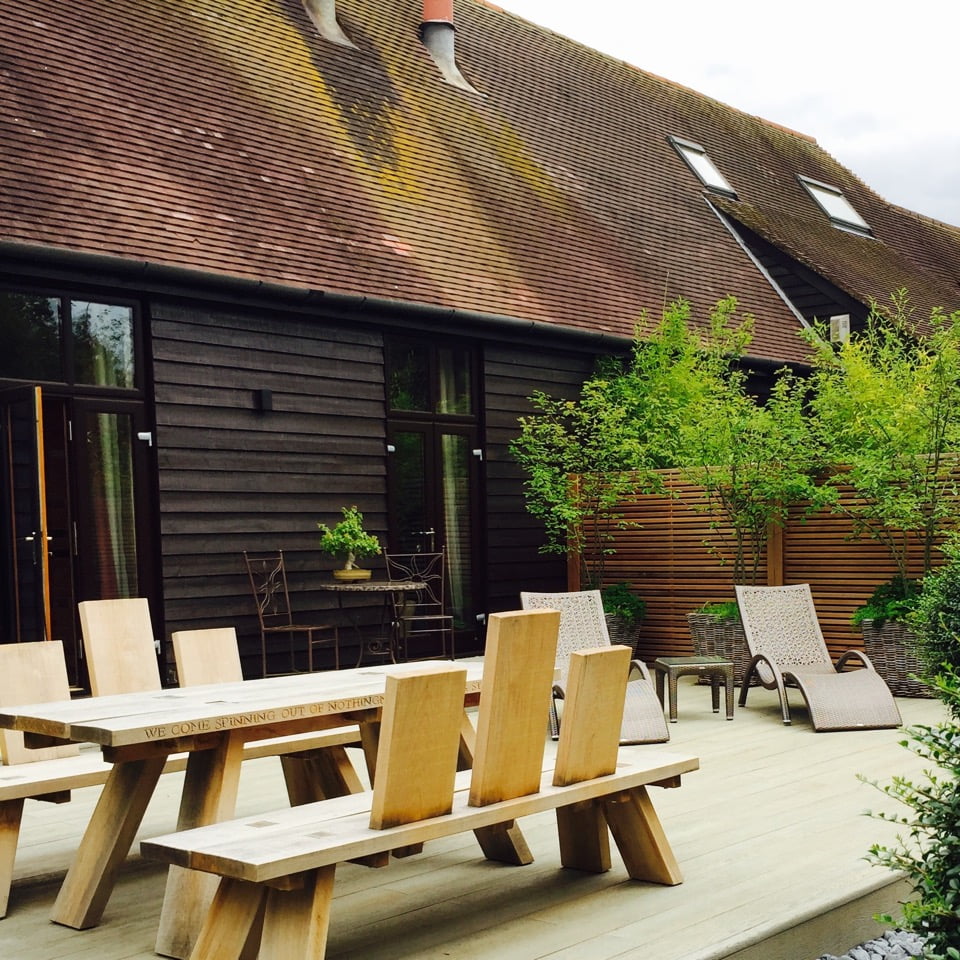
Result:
{"points": [[25, 555]]}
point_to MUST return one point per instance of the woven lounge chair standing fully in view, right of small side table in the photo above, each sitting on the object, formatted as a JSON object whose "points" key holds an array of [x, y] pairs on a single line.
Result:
{"points": [[787, 648]]}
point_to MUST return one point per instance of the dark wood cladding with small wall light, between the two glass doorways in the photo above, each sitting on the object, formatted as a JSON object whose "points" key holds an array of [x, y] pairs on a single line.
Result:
{"points": [[235, 477]]}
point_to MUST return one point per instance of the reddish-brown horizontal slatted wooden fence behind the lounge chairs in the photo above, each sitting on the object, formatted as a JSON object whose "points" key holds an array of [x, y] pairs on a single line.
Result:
{"points": [[664, 557]]}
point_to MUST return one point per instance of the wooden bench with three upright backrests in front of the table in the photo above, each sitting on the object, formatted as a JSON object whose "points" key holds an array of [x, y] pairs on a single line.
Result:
{"points": [[277, 869]]}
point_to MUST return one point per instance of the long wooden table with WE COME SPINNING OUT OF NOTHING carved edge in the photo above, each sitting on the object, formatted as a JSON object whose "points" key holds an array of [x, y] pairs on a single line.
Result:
{"points": [[138, 732]]}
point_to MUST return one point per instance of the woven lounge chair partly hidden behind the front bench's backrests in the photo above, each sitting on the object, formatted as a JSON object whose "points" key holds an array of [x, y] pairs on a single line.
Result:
{"points": [[583, 627]]}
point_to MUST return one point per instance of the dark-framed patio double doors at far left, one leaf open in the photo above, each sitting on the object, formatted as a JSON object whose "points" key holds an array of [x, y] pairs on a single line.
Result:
{"points": [[76, 495]]}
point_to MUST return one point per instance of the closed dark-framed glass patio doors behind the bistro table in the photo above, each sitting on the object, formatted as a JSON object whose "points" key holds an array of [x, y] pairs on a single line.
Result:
{"points": [[434, 468]]}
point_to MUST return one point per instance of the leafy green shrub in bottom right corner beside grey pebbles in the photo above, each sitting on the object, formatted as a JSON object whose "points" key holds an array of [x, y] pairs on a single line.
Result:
{"points": [[927, 849]]}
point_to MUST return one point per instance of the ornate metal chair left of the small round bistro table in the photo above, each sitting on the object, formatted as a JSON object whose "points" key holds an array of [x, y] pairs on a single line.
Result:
{"points": [[268, 582]]}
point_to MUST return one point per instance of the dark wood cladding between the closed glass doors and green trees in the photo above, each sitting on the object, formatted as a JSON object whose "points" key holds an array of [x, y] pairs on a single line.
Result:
{"points": [[512, 374]]}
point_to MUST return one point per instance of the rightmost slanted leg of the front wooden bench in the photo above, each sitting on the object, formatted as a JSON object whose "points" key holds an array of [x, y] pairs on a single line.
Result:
{"points": [[640, 838]]}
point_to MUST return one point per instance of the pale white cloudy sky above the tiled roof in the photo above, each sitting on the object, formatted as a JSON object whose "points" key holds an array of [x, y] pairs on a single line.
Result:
{"points": [[875, 83]]}
